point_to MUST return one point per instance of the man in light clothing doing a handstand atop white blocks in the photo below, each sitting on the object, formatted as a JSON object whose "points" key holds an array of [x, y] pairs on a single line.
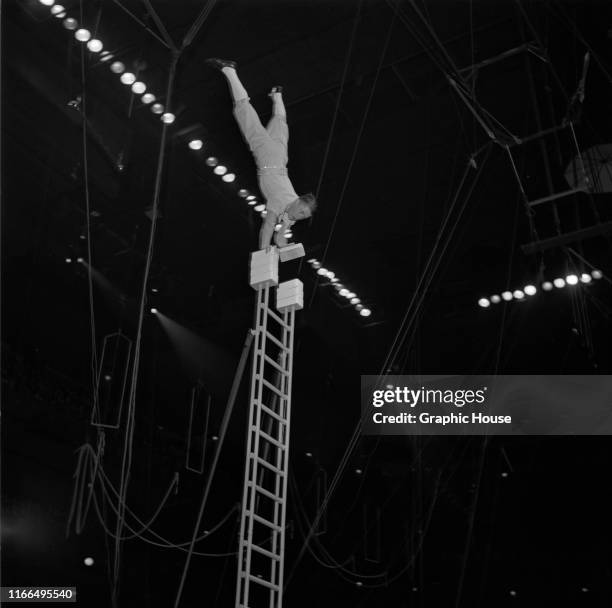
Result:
{"points": [[269, 148]]}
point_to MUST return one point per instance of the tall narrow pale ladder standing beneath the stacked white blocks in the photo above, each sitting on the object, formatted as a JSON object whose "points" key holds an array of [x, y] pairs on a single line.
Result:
{"points": [[264, 501]]}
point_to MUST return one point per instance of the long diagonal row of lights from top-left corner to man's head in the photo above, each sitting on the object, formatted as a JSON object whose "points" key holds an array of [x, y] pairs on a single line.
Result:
{"points": [[140, 88]]}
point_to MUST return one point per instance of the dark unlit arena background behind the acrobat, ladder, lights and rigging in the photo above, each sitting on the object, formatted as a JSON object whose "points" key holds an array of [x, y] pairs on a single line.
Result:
{"points": [[462, 522]]}
